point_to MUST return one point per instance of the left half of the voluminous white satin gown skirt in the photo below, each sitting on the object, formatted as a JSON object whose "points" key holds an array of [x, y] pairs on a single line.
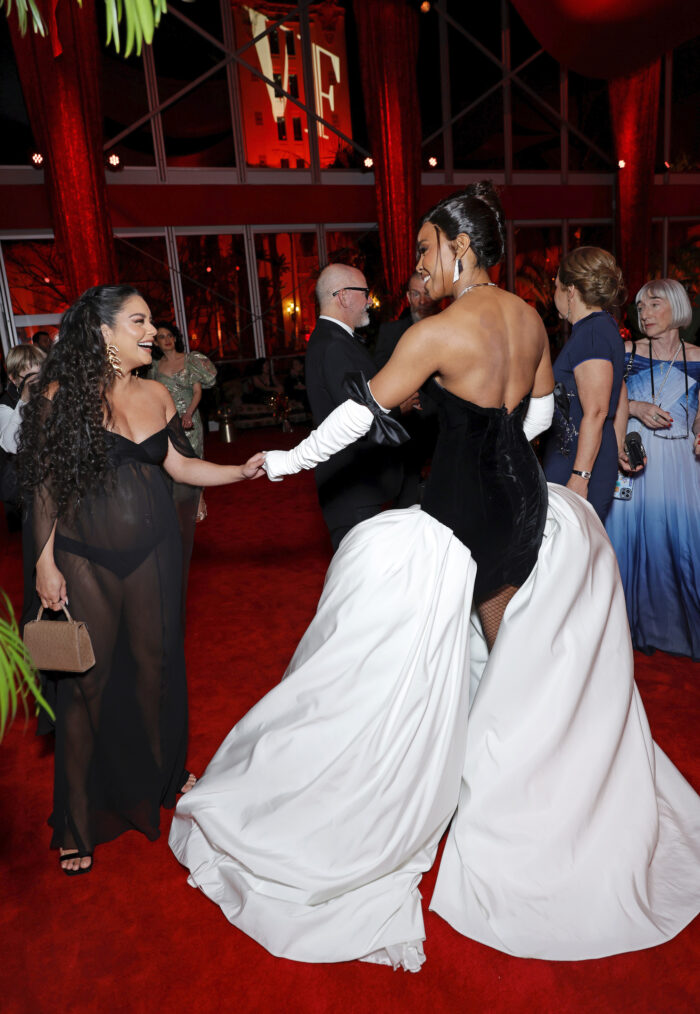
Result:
{"points": [[314, 823]]}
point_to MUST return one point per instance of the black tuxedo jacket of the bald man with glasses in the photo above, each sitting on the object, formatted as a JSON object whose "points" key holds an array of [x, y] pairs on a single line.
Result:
{"points": [[363, 475]]}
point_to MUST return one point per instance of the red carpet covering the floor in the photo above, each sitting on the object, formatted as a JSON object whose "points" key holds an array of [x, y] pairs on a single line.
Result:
{"points": [[132, 936]]}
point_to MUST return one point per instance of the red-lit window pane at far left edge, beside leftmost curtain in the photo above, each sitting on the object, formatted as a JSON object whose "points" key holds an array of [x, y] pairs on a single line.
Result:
{"points": [[35, 276]]}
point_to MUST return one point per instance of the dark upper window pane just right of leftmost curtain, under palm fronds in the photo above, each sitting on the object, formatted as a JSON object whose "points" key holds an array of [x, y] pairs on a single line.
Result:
{"points": [[124, 99]]}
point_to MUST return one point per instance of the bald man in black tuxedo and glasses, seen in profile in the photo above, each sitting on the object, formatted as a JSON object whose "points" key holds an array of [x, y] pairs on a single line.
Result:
{"points": [[357, 483]]}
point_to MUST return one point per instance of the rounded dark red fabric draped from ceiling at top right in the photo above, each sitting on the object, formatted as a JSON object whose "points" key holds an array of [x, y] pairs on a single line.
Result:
{"points": [[609, 38]]}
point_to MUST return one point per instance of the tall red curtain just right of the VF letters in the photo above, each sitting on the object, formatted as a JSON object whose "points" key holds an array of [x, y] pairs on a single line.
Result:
{"points": [[388, 35]]}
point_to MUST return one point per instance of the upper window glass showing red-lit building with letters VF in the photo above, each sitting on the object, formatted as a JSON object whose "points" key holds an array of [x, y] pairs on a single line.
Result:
{"points": [[278, 57]]}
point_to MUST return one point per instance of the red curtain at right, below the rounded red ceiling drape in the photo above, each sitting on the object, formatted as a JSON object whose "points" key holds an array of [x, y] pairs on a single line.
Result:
{"points": [[635, 112]]}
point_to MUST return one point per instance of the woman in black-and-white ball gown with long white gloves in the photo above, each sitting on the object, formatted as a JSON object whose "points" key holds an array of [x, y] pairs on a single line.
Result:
{"points": [[573, 836]]}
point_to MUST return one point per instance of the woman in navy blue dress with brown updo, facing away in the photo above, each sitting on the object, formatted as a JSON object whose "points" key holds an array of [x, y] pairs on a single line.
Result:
{"points": [[582, 452]]}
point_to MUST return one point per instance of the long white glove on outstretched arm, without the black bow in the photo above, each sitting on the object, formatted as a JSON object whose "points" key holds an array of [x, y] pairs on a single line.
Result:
{"points": [[347, 423]]}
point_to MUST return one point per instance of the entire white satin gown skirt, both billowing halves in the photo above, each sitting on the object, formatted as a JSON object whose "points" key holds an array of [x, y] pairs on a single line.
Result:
{"points": [[575, 836]]}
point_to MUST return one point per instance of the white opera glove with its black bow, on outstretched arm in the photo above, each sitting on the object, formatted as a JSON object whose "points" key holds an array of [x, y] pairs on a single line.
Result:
{"points": [[346, 424]]}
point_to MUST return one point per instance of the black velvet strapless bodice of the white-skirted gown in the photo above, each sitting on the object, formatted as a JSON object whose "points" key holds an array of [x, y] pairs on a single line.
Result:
{"points": [[487, 487]]}
